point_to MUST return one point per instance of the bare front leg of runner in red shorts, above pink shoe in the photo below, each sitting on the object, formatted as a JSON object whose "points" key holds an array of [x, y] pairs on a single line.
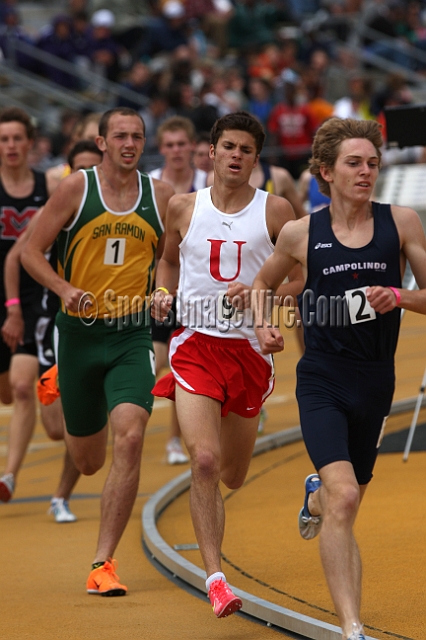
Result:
{"points": [[199, 418]]}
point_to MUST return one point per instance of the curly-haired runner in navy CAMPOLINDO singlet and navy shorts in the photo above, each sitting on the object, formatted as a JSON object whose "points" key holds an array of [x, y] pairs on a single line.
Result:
{"points": [[352, 254]]}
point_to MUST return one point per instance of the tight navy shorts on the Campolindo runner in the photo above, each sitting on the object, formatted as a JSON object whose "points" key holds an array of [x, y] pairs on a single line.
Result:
{"points": [[343, 406]]}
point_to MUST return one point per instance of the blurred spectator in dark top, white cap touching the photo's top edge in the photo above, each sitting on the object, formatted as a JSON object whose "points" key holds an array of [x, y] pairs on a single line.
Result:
{"points": [[166, 33]]}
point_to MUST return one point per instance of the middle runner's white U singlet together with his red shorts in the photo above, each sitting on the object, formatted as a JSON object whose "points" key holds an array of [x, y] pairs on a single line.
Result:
{"points": [[215, 353]]}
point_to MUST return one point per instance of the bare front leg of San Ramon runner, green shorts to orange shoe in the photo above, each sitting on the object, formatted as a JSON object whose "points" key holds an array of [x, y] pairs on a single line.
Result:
{"points": [[128, 423]]}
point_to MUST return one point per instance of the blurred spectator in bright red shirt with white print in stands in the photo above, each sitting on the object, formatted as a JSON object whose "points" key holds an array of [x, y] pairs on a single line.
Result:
{"points": [[291, 127]]}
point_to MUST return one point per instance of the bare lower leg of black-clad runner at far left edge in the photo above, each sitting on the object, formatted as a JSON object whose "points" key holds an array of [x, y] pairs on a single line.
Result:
{"points": [[23, 373]]}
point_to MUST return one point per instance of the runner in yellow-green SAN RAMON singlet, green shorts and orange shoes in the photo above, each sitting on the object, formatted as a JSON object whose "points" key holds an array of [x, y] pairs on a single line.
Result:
{"points": [[109, 225]]}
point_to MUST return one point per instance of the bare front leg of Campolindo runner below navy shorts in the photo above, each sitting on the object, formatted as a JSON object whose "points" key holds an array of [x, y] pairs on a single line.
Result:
{"points": [[338, 501]]}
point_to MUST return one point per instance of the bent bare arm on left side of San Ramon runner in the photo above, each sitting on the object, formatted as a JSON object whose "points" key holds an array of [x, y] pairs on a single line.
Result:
{"points": [[57, 213]]}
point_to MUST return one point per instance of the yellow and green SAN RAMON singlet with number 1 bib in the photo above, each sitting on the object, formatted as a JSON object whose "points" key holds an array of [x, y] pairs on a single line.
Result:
{"points": [[111, 254]]}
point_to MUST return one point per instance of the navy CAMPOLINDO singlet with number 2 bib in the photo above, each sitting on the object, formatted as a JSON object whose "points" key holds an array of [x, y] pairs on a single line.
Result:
{"points": [[336, 315]]}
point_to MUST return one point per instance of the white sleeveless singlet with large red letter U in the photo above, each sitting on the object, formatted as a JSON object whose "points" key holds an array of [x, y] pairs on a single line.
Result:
{"points": [[217, 250]]}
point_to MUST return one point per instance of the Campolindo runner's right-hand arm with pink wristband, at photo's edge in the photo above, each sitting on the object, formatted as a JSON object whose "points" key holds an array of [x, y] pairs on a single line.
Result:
{"points": [[413, 249]]}
